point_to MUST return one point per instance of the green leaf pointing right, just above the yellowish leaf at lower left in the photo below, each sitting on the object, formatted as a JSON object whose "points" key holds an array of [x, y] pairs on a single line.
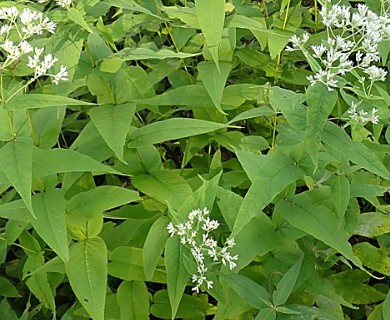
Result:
{"points": [[100, 199]]}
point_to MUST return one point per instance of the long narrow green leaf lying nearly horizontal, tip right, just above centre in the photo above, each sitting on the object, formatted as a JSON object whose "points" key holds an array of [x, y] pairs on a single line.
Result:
{"points": [[171, 129]]}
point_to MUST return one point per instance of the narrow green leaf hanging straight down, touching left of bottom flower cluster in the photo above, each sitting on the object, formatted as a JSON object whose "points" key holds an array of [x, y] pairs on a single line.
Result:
{"points": [[177, 275]]}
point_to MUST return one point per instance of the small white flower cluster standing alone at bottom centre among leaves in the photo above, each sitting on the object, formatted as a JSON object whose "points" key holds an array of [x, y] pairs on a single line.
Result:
{"points": [[195, 233]]}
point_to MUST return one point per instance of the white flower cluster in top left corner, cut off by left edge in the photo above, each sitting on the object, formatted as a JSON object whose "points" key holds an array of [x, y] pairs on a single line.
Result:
{"points": [[27, 24]]}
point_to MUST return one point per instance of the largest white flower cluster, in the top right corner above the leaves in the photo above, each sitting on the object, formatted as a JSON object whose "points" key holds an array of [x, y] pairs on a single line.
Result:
{"points": [[353, 47]]}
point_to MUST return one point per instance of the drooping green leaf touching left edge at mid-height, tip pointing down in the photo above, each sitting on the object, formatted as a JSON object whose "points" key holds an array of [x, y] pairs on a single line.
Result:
{"points": [[16, 163]]}
